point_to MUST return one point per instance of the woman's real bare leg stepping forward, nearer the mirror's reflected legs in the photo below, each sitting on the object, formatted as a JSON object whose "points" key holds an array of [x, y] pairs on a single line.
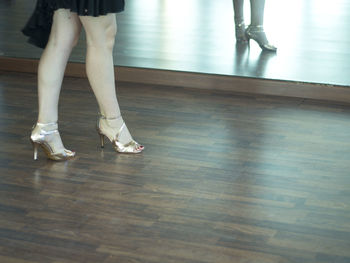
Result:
{"points": [[100, 36]]}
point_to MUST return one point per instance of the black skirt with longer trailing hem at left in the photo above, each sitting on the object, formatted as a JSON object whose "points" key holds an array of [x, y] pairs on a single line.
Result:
{"points": [[38, 27]]}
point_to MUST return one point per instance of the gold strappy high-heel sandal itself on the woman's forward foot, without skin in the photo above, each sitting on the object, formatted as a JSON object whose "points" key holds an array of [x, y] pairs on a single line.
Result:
{"points": [[130, 147]]}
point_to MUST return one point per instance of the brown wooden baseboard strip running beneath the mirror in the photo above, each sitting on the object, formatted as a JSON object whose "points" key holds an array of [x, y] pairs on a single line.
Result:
{"points": [[199, 80]]}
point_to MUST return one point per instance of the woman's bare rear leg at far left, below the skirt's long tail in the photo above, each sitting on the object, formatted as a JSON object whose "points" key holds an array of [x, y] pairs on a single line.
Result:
{"points": [[63, 37]]}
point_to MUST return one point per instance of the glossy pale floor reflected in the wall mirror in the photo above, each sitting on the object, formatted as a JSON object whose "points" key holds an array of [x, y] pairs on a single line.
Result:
{"points": [[312, 37]]}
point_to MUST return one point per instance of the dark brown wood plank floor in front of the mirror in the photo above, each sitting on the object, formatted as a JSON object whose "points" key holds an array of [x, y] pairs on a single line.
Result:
{"points": [[224, 178]]}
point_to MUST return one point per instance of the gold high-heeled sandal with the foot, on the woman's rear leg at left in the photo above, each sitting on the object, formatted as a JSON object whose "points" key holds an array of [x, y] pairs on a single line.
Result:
{"points": [[48, 138]]}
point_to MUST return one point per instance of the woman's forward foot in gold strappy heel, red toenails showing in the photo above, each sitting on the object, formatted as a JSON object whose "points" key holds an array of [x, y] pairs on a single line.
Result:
{"points": [[113, 129]]}
